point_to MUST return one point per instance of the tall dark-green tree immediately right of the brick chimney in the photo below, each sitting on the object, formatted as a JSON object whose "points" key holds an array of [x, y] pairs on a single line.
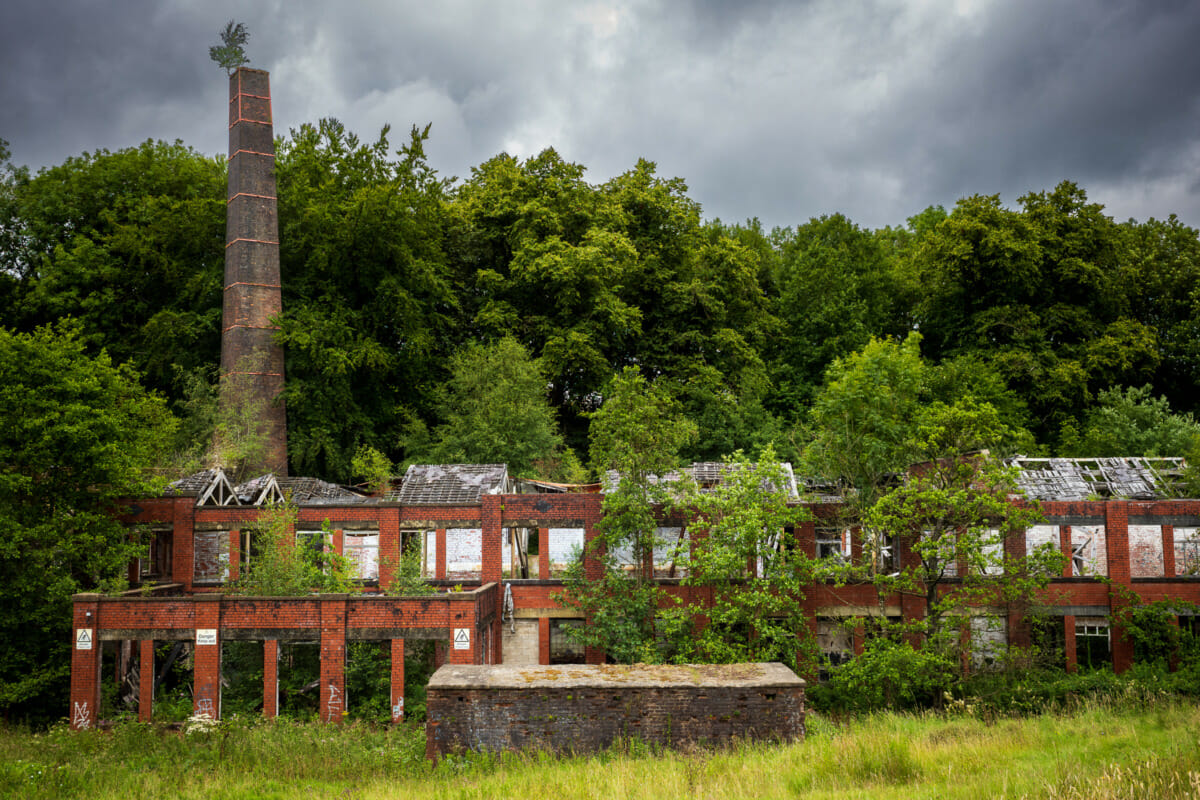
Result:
{"points": [[369, 309]]}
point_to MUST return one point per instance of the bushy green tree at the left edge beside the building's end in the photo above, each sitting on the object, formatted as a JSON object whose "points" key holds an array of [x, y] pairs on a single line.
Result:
{"points": [[77, 435]]}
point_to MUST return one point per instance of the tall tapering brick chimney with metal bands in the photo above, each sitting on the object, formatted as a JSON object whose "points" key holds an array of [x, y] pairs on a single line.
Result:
{"points": [[251, 362]]}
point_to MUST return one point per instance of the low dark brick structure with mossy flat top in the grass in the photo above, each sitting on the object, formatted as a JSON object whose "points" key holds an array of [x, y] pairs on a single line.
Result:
{"points": [[586, 708]]}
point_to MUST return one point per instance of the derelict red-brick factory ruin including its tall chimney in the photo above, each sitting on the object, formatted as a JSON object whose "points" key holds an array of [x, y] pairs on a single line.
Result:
{"points": [[506, 545]]}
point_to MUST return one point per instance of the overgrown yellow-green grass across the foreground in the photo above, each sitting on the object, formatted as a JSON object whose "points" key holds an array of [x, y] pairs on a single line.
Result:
{"points": [[1107, 748]]}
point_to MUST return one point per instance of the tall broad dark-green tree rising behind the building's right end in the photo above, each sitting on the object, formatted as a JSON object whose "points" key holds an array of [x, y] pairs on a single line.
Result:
{"points": [[1041, 294]]}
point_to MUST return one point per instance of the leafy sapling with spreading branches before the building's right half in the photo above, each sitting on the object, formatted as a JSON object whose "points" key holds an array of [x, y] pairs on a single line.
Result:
{"points": [[941, 532]]}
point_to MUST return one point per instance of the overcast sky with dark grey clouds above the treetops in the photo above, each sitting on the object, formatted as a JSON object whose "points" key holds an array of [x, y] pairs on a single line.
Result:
{"points": [[782, 111]]}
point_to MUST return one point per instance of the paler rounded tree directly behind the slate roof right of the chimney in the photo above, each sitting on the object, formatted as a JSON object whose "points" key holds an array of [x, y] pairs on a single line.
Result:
{"points": [[495, 411]]}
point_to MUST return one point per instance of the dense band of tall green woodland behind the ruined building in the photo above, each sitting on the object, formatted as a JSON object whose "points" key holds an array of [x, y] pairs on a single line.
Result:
{"points": [[403, 287]]}
